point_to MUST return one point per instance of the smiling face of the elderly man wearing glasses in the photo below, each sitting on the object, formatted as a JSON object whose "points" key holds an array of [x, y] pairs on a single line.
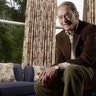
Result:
{"points": [[67, 18]]}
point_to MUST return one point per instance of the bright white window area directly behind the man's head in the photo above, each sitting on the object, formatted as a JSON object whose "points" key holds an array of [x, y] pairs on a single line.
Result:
{"points": [[79, 6]]}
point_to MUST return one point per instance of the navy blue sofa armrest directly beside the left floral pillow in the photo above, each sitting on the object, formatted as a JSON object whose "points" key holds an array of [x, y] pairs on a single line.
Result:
{"points": [[18, 72]]}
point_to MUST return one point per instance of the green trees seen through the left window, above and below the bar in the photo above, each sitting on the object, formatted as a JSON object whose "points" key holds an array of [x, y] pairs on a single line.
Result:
{"points": [[11, 36]]}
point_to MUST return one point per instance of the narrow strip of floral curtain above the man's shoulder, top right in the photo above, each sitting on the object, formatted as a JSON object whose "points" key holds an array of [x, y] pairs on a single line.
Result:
{"points": [[90, 11]]}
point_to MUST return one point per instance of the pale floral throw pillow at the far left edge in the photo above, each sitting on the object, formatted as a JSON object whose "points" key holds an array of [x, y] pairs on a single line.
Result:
{"points": [[6, 72]]}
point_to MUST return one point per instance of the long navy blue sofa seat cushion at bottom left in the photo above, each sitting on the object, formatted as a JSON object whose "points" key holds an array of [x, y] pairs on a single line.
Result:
{"points": [[16, 88]]}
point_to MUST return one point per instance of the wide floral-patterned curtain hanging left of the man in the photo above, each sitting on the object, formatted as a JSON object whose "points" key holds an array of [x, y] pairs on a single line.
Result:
{"points": [[39, 40]]}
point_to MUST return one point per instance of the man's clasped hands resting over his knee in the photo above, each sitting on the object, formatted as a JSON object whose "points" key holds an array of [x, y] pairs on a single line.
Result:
{"points": [[47, 75]]}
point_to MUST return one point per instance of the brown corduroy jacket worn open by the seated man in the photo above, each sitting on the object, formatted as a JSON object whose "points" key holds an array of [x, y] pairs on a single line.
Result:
{"points": [[84, 46]]}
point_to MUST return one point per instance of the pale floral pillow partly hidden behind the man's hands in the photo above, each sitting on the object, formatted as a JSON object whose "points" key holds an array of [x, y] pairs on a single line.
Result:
{"points": [[37, 70]]}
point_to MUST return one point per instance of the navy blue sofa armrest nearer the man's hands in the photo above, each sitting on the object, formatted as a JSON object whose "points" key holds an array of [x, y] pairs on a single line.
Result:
{"points": [[28, 73]]}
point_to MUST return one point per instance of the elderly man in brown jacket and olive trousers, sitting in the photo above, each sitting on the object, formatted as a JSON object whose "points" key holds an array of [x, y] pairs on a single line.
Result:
{"points": [[75, 56]]}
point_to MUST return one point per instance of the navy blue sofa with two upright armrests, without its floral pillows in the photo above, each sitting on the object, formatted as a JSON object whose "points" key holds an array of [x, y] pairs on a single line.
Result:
{"points": [[24, 85]]}
